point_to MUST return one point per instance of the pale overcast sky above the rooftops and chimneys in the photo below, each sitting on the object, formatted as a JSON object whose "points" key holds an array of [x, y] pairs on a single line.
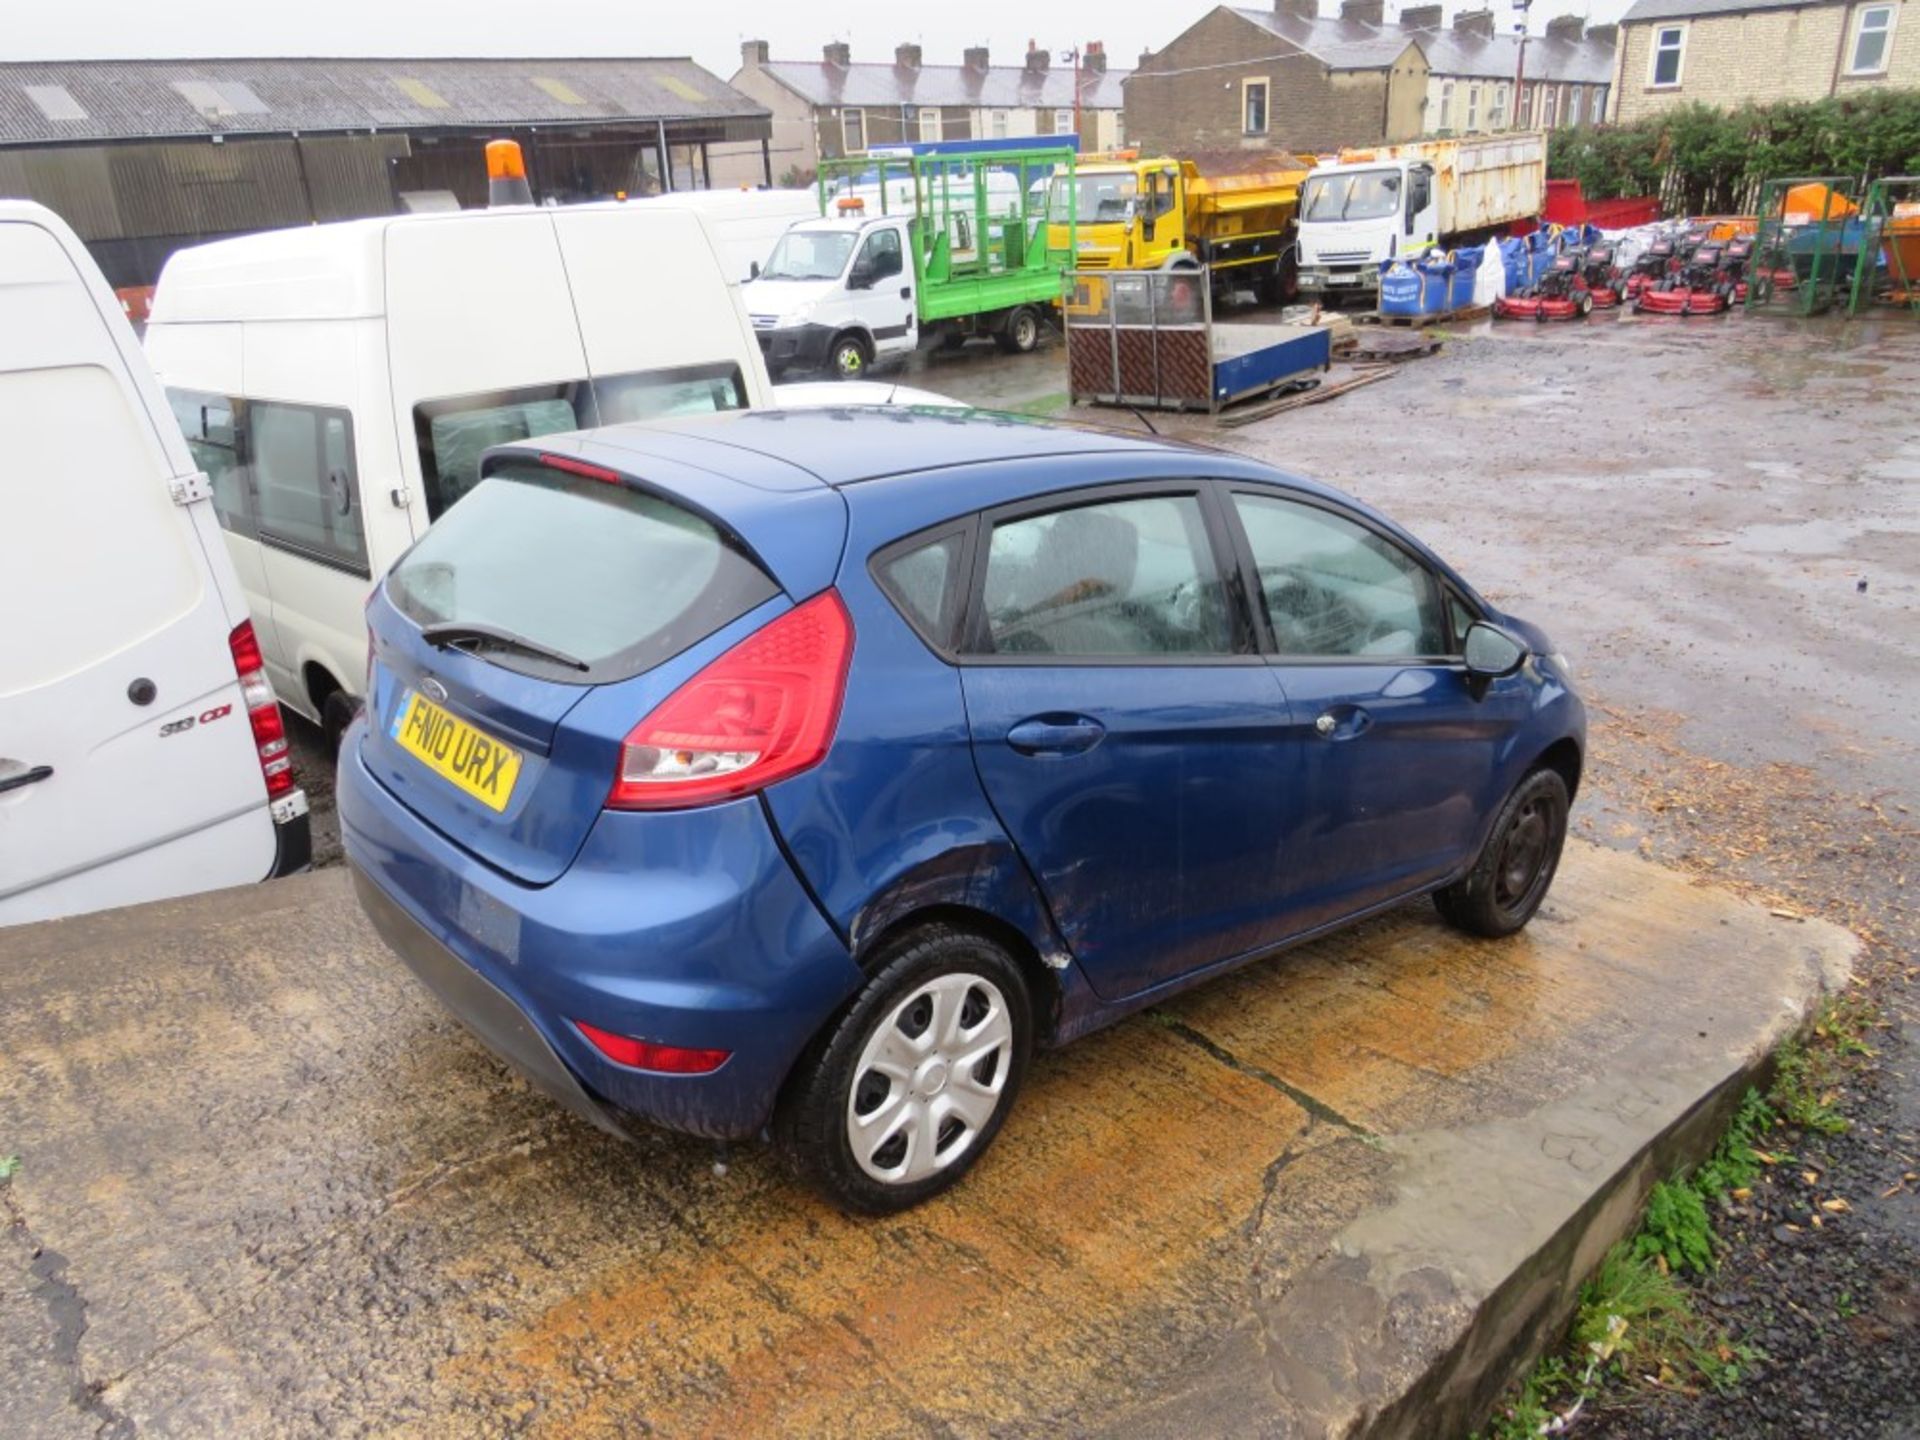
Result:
{"points": [[711, 34]]}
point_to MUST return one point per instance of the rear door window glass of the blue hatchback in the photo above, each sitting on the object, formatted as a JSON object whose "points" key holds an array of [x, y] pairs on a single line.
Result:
{"points": [[1118, 579]]}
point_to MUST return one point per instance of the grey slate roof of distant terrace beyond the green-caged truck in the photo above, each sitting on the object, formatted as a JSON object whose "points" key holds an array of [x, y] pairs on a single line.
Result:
{"points": [[997, 87]]}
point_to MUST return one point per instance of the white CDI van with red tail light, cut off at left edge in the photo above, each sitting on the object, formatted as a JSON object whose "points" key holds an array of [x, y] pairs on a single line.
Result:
{"points": [[141, 752]]}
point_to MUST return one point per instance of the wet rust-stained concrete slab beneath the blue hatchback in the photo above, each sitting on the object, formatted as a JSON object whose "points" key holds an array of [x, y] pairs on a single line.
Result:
{"points": [[1326, 1195]]}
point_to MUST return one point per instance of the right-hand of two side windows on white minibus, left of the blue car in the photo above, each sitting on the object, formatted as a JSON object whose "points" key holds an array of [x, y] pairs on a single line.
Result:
{"points": [[306, 496]]}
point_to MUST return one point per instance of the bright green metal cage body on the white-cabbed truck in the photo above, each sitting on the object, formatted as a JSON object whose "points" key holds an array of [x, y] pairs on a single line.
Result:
{"points": [[1005, 260]]}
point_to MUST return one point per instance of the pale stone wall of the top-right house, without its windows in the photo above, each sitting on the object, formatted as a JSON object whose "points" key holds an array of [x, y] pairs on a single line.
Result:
{"points": [[1785, 55]]}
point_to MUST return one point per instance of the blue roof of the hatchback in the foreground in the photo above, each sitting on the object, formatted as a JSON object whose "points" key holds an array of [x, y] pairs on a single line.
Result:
{"points": [[850, 444]]}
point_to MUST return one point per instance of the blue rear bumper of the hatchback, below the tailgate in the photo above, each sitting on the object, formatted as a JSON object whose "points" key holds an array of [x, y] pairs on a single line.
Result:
{"points": [[683, 928]]}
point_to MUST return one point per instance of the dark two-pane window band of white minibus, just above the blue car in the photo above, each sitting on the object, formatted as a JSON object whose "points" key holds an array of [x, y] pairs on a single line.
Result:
{"points": [[458, 431]]}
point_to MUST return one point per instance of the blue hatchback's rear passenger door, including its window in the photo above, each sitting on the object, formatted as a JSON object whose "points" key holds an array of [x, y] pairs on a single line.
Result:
{"points": [[1126, 734]]}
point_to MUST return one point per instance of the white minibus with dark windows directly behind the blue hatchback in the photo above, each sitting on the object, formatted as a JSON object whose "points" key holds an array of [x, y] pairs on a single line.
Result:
{"points": [[339, 385]]}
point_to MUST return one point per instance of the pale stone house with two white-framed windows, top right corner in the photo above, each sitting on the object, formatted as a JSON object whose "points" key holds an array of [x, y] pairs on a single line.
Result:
{"points": [[1727, 53]]}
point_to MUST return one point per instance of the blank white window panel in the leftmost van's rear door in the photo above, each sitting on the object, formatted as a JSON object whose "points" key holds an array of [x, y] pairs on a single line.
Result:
{"points": [[101, 554]]}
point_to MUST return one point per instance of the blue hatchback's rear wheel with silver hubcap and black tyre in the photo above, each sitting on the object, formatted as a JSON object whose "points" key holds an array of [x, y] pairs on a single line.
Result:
{"points": [[911, 1086]]}
